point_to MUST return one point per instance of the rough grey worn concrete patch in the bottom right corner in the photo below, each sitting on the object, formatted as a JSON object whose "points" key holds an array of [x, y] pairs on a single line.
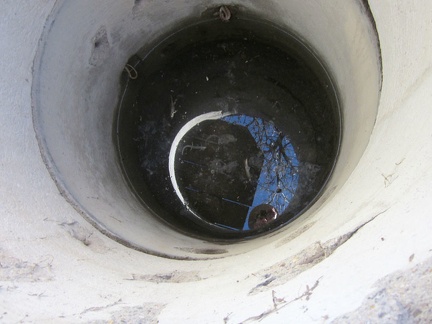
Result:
{"points": [[401, 297]]}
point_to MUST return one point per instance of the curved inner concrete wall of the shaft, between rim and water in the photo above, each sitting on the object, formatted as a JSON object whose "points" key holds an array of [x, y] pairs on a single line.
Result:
{"points": [[76, 89]]}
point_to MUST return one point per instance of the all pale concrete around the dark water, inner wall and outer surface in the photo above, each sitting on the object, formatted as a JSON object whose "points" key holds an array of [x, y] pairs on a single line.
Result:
{"points": [[364, 252]]}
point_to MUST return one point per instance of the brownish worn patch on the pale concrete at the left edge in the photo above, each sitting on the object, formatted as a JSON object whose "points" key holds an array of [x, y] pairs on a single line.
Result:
{"points": [[17, 270]]}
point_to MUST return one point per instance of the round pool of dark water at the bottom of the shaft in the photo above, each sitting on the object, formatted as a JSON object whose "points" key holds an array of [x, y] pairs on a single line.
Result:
{"points": [[230, 130]]}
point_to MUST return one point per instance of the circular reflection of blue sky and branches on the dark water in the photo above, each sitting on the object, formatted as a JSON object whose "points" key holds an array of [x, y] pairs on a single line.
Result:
{"points": [[237, 171]]}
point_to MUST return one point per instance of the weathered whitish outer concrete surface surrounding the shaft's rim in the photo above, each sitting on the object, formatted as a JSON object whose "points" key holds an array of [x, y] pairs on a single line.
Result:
{"points": [[55, 267]]}
